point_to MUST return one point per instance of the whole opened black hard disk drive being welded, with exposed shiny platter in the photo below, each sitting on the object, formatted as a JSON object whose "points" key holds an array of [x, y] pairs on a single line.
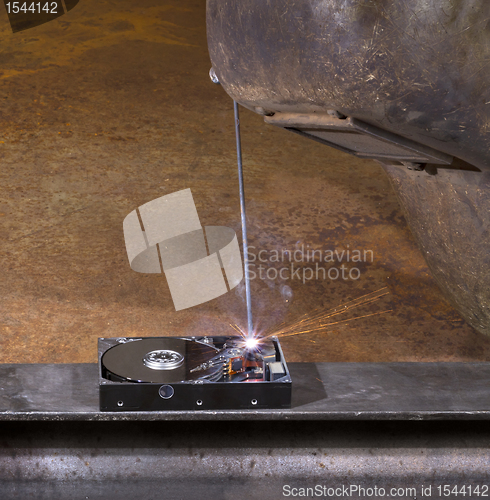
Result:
{"points": [[192, 373]]}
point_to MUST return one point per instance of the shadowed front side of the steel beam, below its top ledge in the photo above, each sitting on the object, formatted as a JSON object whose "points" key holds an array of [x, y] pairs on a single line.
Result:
{"points": [[231, 460]]}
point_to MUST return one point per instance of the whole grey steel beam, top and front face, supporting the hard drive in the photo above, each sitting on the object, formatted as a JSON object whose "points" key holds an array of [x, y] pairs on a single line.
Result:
{"points": [[56, 444]]}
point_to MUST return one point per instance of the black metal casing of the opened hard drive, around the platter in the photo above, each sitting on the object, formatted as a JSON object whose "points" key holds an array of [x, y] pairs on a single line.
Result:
{"points": [[189, 395]]}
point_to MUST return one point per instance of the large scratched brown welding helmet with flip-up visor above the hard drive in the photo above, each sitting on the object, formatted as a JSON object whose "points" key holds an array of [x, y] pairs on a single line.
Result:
{"points": [[417, 70]]}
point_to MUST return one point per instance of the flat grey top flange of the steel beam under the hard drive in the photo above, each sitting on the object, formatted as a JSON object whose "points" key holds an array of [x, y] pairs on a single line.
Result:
{"points": [[321, 391]]}
